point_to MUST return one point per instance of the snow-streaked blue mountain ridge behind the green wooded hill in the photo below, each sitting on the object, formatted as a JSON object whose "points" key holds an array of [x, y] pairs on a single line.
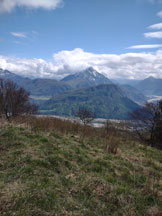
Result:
{"points": [[84, 79]]}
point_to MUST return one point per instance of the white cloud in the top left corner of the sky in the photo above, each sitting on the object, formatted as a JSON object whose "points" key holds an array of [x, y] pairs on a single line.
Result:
{"points": [[9, 5]]}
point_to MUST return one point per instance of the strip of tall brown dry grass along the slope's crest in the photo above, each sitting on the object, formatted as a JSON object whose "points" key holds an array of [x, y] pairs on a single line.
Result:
{"points": [[109, 136]]}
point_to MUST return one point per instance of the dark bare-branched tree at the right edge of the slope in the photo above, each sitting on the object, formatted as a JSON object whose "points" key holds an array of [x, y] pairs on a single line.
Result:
{"points": [[148, 121]]}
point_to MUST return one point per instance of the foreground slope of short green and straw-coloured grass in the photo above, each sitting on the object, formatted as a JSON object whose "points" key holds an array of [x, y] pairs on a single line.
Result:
{"points": [[48, 173]]}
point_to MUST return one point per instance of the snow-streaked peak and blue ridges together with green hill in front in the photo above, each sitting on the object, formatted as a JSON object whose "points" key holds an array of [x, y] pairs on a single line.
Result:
{"points": [[88, 88]]}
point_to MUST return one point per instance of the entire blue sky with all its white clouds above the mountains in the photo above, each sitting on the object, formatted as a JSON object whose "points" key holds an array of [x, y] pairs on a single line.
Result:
{"points": [[55, 38]]}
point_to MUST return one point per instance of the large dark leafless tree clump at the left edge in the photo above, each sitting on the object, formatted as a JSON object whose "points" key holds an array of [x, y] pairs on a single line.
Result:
{"points": [[14, 100]]}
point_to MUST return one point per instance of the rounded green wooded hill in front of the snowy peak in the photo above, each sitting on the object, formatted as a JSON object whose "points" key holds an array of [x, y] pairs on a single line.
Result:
{"points": [[106, 101]]}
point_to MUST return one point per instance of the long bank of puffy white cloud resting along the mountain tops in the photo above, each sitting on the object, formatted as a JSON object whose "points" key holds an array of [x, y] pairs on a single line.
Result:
{"points": [[128, 65]]}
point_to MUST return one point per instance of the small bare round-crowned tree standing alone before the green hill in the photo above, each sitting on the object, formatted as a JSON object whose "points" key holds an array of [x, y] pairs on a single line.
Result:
{"points": [[85, 115]]}
